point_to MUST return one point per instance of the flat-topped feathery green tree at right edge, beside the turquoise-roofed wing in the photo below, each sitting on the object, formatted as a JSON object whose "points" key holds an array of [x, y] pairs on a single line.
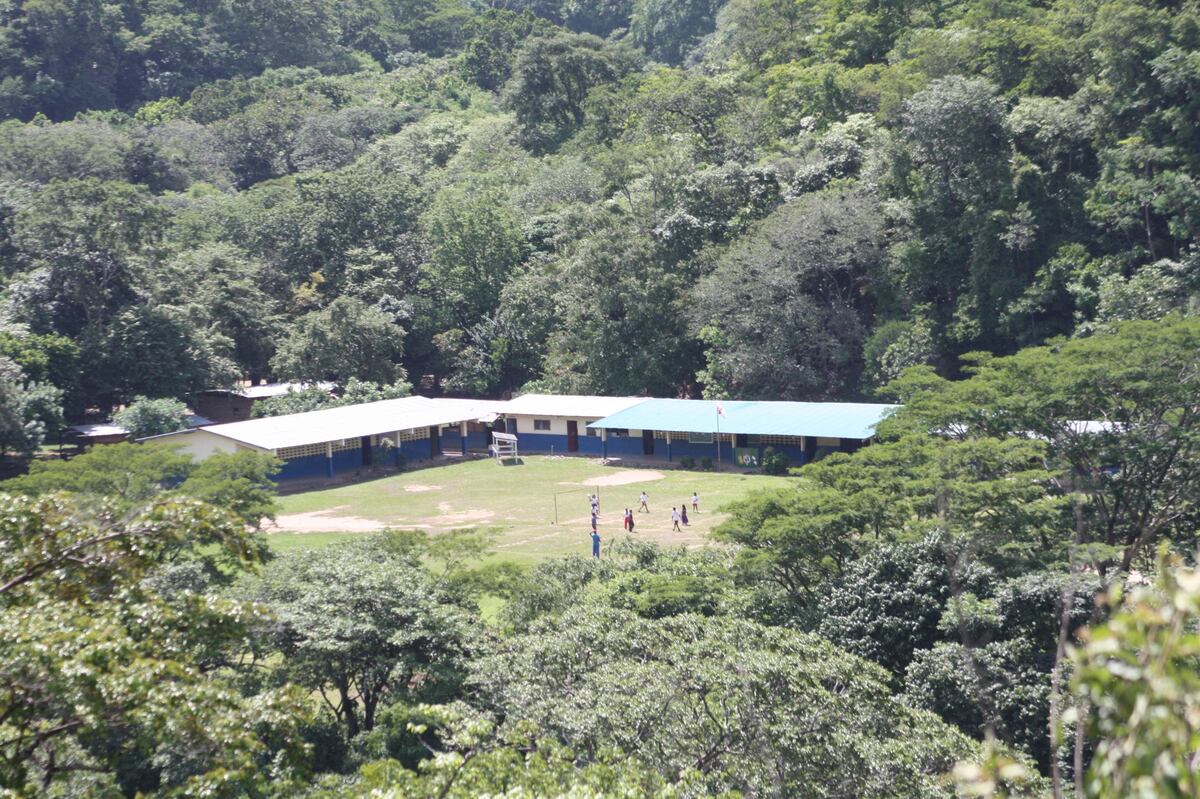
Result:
{"points": [[1135, 470]]}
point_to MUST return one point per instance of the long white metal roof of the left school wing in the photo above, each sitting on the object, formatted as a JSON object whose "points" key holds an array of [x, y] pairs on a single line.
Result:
{"points": [[353, 422]]}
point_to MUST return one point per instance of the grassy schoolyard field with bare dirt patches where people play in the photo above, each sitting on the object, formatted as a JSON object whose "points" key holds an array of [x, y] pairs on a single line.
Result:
{"points": [[518, 502]]}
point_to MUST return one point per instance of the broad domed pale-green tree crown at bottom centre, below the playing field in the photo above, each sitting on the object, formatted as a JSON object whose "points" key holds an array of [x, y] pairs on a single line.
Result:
{"points": [[760, 712]]}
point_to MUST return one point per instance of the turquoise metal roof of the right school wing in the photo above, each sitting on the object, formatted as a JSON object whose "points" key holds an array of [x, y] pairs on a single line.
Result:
{"points": [[829, 419]]}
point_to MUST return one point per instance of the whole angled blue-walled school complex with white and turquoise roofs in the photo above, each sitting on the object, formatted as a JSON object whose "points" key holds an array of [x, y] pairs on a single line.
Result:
{"points": [[413, 430]]}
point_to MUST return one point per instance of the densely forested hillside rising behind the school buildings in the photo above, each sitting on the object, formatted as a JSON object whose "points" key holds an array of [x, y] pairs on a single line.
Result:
{"points": [[761, 200]]}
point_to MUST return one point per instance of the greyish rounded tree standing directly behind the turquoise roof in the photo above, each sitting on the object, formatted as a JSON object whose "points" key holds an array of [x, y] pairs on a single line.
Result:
{"points": [[782, 314]]}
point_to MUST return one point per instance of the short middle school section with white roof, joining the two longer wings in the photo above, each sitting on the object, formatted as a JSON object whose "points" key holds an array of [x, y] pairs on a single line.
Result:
{"points": [[560, 424]]}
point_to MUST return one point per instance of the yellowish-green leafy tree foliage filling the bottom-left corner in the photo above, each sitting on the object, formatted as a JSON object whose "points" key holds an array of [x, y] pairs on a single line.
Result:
{"points": [[111, 686]]}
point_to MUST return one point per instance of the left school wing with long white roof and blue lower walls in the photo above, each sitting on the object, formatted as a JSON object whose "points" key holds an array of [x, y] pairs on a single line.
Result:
{"points": [[338, 441]]}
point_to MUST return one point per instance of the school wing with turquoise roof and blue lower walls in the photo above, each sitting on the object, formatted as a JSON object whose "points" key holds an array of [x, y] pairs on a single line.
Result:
{"points": [[740, 432]]}
